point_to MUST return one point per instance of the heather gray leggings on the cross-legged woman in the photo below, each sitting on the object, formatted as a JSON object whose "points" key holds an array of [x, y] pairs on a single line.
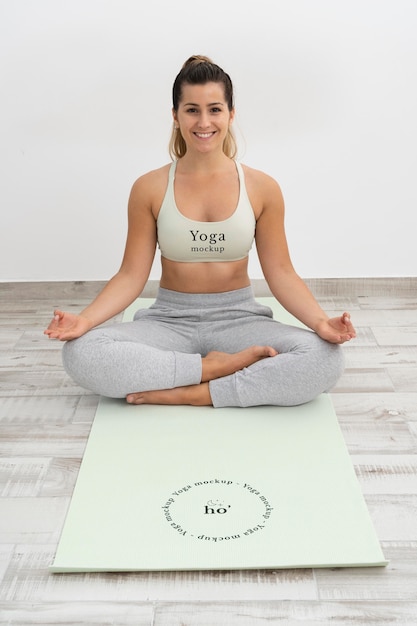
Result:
{"points": [[163, 346]]}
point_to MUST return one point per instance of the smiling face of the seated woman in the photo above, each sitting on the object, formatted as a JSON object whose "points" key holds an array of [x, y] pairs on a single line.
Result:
{"points": [[203, 117]]}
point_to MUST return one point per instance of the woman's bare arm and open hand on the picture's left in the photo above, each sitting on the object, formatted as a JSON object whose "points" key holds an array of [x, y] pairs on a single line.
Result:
{"points": [[131, 278]]}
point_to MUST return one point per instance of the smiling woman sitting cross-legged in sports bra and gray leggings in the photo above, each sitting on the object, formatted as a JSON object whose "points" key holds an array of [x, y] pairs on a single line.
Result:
{"points": [[205, 341]]}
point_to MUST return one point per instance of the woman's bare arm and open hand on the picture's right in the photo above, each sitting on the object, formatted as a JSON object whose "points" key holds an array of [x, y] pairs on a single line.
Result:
{"points": [[285, 284]]}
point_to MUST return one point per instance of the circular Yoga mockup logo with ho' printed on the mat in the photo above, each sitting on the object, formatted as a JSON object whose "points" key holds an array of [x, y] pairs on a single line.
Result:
{"points": [[217, 510]]}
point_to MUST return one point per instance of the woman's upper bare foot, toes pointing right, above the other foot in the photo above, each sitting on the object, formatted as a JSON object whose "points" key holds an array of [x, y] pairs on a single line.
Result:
{"points": [[218, 364]]}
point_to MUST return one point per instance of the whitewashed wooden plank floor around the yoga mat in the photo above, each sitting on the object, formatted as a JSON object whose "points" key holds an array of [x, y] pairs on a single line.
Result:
{"points": [[45, 420]]}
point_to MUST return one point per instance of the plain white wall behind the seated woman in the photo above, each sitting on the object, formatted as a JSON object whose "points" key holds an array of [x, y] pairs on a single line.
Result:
{"points": [[326, 94]]}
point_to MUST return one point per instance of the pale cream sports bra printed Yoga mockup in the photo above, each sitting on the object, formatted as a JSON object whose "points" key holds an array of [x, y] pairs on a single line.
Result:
{"points": [[185, 240]]}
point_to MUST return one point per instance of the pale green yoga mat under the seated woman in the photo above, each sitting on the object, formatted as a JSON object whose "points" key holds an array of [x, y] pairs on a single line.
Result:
{"points": [[189, 488]]}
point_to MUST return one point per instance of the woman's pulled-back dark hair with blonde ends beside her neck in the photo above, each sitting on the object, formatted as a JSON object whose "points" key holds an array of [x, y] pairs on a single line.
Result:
{"points": [[199, 70]]}
